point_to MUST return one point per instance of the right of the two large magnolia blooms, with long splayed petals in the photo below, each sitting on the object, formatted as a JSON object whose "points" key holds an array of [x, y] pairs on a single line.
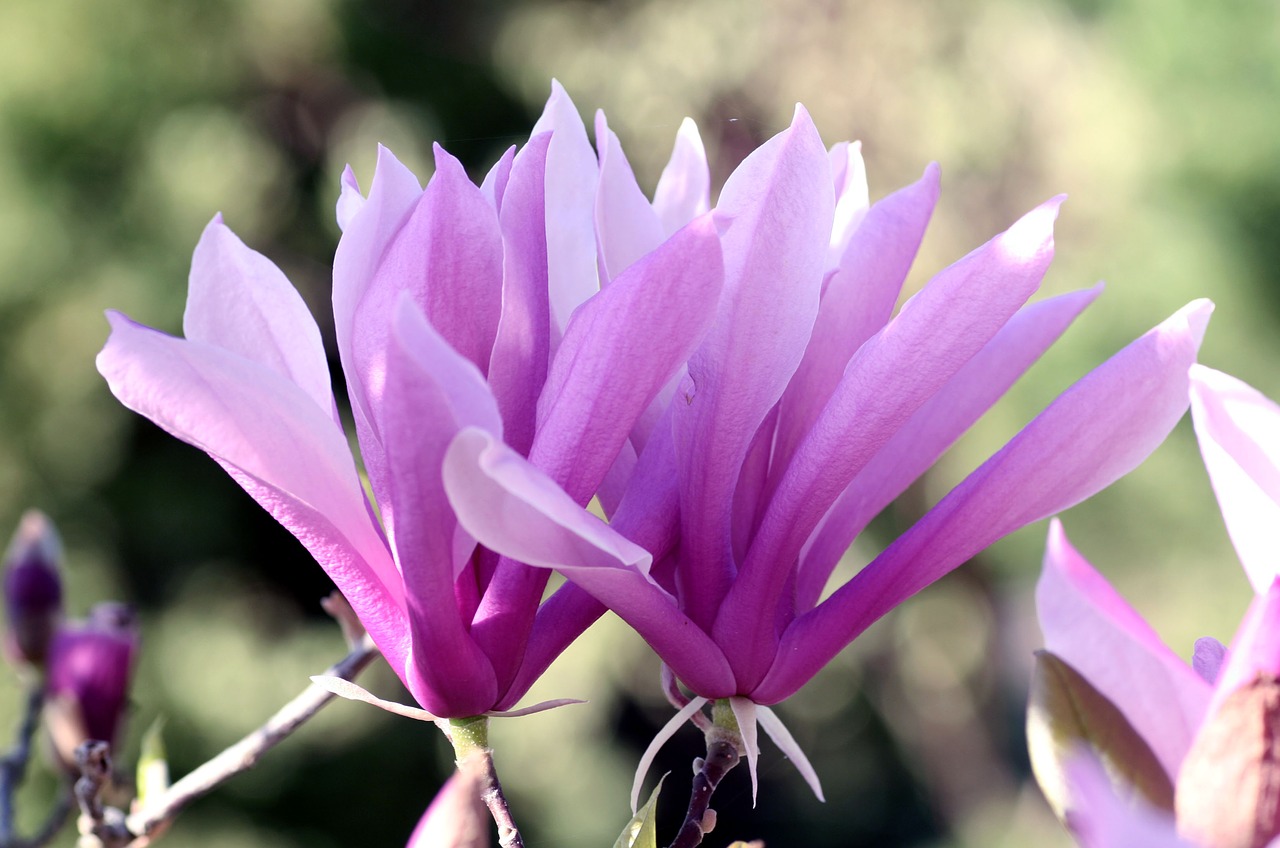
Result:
{"points": [[807, 409]]}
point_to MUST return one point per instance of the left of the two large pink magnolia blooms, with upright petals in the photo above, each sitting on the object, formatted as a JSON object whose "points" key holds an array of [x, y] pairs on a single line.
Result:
{"points": [[527, 307]]}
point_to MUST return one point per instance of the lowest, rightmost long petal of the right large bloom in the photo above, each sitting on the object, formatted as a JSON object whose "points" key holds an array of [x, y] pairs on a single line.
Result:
{"points": [[1096, 432]]}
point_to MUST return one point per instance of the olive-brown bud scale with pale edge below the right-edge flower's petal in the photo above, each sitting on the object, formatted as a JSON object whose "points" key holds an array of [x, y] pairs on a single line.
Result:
{"points": [[1066, 713]]}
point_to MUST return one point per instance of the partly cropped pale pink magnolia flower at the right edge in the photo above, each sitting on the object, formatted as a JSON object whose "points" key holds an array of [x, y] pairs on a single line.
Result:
{"points": [[1192, 759]]}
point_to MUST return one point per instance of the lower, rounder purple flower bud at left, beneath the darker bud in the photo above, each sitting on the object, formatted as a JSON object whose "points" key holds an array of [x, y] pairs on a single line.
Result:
{"points": [[88, 685]]}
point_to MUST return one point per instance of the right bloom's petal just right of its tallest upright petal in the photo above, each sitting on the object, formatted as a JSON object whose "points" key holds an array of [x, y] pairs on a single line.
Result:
{"points": [[857, 302]]}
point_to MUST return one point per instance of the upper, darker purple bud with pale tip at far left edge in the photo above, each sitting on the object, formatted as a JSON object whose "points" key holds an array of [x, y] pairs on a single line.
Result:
{"points": [[33, 589]]}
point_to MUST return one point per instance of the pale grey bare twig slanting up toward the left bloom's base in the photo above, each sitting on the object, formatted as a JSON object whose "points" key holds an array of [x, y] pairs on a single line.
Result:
{"points": [[246, 753]]}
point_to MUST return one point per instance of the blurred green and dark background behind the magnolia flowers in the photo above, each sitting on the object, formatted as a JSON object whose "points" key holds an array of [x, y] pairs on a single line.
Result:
{"points": [[126, 125]]}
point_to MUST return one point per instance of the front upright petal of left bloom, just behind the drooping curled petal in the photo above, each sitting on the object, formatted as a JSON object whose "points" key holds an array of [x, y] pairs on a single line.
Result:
{"points": [[432, 393]]}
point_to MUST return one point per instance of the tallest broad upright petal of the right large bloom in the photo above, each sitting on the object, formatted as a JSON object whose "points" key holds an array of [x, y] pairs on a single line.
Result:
{"points": [[778, 208]]}
